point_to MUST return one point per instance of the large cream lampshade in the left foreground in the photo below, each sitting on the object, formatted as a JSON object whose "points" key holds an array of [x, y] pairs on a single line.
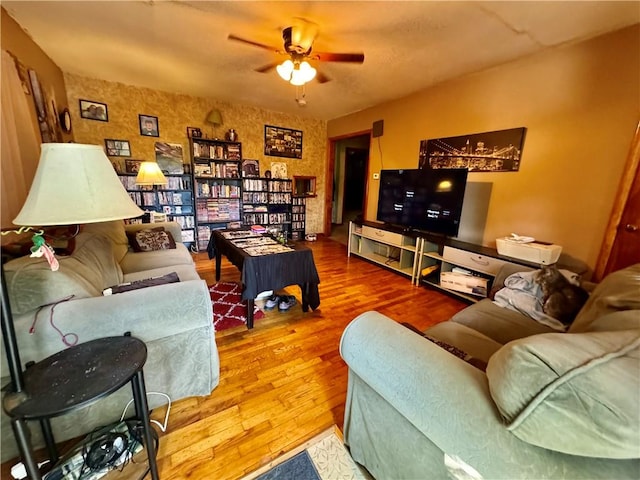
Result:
{"points": [[74, 184]]}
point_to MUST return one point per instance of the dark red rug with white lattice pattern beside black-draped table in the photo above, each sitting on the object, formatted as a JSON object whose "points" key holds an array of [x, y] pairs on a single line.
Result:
{"points": [[228, 308]]}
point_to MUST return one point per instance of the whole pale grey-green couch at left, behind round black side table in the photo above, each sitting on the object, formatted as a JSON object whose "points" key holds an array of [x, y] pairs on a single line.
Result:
{"points": [[174, 320]]}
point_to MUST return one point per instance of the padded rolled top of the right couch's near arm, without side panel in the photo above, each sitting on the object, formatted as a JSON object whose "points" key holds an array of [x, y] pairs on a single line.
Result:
{"points": [[447, 400]]}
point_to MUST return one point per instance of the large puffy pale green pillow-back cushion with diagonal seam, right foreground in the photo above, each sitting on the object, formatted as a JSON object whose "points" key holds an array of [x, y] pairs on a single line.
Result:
{"points": [[573, 393]]}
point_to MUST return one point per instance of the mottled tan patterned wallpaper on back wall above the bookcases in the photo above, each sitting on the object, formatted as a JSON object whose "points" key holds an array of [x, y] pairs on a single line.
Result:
{"points": [[176, 112]]}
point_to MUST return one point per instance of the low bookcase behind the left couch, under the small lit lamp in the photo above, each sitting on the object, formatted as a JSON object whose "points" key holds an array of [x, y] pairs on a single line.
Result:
{"points": [[175, 200]]}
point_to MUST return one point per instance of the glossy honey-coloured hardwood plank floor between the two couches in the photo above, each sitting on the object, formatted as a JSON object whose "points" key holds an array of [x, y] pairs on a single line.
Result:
{"points": [[284, 381]]}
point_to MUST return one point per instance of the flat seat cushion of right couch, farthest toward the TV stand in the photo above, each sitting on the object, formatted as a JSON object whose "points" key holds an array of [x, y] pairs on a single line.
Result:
{"points": [[500, 324]]}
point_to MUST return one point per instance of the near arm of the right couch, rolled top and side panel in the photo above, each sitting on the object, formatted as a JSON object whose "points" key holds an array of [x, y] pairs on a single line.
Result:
{"points": [[409, 402]]}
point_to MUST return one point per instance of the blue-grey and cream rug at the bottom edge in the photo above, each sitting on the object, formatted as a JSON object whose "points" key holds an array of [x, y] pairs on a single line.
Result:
{"points": [[324, 457]]}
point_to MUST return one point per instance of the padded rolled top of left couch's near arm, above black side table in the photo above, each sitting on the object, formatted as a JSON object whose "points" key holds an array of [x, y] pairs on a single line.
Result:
{"points": [[148, 313]]}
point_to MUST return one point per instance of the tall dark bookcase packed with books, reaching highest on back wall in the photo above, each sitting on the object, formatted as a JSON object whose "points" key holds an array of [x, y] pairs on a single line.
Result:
{"points": [[217, 186]]}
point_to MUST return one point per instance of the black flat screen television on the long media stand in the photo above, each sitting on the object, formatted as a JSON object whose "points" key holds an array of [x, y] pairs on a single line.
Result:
{"points": [[429, 200]]}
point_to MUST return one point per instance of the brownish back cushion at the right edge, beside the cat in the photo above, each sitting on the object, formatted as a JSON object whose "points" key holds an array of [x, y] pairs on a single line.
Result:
{"points": [[618, 291]]}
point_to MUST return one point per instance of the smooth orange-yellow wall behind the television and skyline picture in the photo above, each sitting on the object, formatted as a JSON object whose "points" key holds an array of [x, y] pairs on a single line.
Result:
{"points": [[580, 105]]}
